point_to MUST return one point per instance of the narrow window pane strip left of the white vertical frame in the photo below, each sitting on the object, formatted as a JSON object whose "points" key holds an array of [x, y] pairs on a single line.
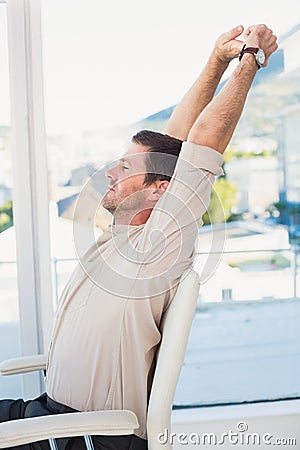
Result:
{"points": [[9, 313]]}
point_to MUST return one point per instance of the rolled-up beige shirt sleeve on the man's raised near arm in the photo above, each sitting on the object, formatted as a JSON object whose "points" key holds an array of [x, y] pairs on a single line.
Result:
{"points": [[167, 242]]}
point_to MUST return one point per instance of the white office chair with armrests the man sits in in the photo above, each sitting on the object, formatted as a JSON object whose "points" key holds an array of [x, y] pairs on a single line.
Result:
{"points": [[175, 329]]}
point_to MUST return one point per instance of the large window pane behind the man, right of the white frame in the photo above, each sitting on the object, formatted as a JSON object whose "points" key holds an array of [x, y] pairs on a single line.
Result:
{"points": [[95, 95]]}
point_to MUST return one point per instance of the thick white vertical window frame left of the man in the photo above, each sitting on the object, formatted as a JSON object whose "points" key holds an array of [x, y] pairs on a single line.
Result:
{"points": [[30, 182]]}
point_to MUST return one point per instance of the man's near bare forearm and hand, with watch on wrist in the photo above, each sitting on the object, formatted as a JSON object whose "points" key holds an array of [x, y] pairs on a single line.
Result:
{"points": [[215, 125]]}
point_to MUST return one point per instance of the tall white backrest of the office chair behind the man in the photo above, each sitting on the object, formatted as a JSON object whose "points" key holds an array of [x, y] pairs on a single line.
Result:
{"points": [[176, 325]]}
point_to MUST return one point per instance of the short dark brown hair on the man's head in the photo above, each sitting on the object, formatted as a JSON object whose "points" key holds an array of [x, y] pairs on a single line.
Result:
{"points": [[162, 155]]}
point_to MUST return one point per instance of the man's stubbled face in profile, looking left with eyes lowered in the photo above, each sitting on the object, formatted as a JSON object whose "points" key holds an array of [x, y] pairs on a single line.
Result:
{"points": [[126, 191]]}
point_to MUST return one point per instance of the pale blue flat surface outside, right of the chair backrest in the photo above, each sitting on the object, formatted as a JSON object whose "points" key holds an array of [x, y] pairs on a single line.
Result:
{"points": [[240, 352]]}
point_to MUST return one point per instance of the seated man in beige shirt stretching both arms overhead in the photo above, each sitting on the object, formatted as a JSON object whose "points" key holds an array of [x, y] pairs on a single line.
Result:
{"points": [[106, 331]]}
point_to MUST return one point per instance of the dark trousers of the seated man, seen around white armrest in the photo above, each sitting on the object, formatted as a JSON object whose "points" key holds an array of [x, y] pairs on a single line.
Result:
{"points": [[43, 406]]}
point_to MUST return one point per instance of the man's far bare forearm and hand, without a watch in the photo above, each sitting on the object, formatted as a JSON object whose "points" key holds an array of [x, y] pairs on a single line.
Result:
{"points": [[227, 47]]}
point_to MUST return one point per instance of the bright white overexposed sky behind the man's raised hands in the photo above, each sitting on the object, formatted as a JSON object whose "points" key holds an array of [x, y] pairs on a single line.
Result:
{"points": [[117, 61]]}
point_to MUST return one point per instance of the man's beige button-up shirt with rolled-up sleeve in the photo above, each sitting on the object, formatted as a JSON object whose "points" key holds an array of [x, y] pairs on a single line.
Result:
{"points": [[107, 330]]}
